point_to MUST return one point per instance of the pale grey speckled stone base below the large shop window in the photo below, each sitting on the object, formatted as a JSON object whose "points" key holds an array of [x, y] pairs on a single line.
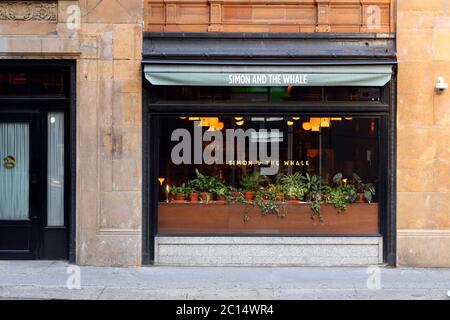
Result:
{"points": [[269, 251]]}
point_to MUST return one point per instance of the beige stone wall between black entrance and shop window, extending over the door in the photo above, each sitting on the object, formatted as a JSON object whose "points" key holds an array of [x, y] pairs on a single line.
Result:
{"points": [[108, 51]]}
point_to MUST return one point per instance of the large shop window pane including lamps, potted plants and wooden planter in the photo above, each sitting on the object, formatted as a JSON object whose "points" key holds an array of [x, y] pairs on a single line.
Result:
{"points": [[275, 147]]}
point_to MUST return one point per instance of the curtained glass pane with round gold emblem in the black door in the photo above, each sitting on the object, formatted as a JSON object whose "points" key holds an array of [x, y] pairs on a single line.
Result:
{"points": [[14, 171]]}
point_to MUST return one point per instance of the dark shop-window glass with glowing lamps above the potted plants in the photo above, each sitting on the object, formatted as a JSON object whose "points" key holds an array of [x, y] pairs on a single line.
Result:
{"points": [[314, 145]]}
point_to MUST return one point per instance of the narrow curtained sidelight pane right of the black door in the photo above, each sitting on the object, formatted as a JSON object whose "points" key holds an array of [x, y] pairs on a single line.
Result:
{"points": [[55, 184]]}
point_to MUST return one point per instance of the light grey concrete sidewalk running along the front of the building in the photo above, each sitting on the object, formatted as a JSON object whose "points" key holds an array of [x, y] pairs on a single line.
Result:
{"points": [[48, 280]]}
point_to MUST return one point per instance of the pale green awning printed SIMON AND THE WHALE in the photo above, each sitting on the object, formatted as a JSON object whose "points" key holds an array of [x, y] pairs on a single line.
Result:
{"points": [[269, 76]]}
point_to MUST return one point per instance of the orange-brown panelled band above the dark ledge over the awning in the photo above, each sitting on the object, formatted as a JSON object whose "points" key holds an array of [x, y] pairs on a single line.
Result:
{"points": [[268, 15]]}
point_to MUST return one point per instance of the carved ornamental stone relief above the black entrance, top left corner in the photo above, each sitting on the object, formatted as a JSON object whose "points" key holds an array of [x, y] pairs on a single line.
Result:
{"points": [[29, 10]]}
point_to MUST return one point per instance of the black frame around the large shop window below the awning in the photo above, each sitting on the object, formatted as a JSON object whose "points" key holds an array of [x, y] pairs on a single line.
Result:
{"points": [[385, 110]]}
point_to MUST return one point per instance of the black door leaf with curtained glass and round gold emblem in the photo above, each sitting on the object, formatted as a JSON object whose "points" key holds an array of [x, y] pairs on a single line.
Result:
{"points": [[21, 211]]}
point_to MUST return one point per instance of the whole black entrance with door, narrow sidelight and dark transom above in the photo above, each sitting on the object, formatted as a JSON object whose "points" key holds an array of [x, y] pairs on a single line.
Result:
{"points": [[37, 163]]}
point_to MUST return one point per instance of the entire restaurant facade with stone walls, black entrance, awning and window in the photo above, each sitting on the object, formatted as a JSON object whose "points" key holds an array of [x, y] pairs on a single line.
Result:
{"points": [[225, 132]]}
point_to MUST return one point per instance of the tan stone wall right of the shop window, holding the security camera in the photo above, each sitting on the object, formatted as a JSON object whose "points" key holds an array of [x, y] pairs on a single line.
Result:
{"points": [[423, 208]]}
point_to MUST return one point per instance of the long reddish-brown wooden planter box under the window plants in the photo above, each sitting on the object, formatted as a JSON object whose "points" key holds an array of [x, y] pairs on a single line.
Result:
{"points": [[199, 218]]}
